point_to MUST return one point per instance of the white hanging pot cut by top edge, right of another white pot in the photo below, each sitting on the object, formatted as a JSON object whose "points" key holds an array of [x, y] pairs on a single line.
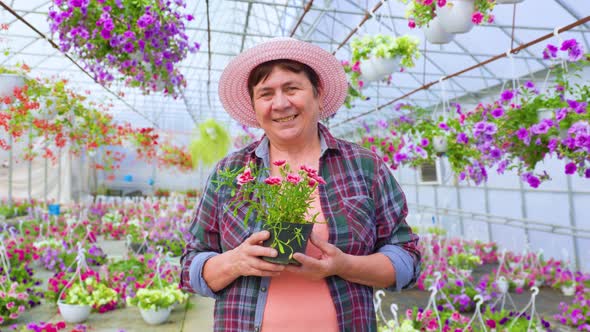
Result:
{"points": [[455, 16]]}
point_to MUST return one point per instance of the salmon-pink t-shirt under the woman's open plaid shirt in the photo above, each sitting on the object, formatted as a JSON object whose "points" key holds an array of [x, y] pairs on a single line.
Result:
{"points": [[298, 304]]}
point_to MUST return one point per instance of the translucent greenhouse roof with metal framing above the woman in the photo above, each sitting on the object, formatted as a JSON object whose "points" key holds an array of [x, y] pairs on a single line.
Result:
{"points": [[239, 24]]}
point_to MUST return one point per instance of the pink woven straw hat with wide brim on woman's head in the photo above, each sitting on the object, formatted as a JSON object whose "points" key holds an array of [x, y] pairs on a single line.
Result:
{"points": [[233, 84]]}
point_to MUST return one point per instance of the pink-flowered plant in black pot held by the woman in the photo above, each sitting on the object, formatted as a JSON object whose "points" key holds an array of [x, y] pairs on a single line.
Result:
{"points": [[281, 203]]}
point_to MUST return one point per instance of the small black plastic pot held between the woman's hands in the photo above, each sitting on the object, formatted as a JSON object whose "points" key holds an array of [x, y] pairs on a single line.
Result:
{"points": [[287, 237]]}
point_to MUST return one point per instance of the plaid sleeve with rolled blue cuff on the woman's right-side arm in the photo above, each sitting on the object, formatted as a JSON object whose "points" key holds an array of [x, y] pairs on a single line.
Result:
{"points": [[395, 238]]}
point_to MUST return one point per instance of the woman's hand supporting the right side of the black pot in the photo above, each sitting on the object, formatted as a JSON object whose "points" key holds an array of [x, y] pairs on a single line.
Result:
{"points": [[331, 261]]}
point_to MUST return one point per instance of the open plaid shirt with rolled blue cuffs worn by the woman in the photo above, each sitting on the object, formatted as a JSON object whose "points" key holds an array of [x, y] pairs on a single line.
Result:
{"points": [[366, 211]]}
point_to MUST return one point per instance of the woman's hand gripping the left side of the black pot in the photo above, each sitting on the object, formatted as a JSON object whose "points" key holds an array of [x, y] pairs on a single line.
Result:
{"points": [[245, 259]]}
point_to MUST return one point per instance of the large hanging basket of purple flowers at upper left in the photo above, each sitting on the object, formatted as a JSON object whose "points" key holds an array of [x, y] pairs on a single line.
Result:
{"points": [[138, 42]]}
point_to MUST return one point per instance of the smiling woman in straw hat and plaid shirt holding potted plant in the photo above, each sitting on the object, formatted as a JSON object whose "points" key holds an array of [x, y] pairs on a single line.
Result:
{"points": [[286, 87]]}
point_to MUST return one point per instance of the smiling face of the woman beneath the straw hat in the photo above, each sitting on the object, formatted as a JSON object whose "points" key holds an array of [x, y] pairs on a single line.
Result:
{"points": [[286, 107]]}
